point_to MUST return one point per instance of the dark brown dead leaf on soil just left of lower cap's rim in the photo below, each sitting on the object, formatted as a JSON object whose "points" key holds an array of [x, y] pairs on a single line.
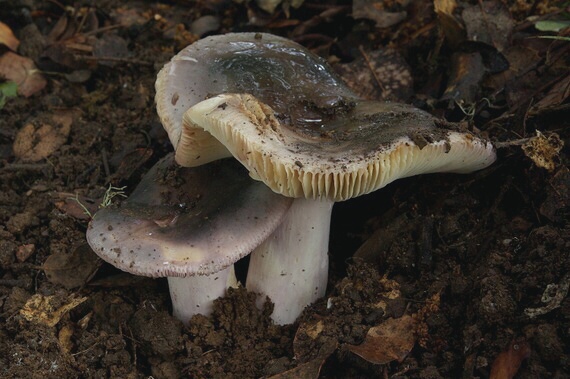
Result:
{"points": [[71, 270]]}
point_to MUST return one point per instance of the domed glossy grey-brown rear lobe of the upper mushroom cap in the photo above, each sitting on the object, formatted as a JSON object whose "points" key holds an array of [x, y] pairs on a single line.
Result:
{"points": [[278, 71]]}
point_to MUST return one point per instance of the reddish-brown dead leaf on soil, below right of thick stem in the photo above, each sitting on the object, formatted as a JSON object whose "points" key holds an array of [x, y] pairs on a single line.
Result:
{"points": [[390, 341]]}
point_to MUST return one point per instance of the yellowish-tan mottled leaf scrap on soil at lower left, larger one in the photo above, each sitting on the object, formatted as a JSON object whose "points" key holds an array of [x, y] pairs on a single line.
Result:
{"points": [[41, 309]]}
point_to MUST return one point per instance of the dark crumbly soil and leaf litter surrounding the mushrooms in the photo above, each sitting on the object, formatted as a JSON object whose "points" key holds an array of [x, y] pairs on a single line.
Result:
{"points": [[440, 276]]}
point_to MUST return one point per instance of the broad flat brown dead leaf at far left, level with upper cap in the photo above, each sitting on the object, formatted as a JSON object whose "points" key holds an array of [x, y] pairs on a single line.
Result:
{"points": [[37, 140]]}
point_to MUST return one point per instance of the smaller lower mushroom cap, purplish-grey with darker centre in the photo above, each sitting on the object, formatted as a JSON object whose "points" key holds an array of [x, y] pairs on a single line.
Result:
{"points": [[187, 221]]}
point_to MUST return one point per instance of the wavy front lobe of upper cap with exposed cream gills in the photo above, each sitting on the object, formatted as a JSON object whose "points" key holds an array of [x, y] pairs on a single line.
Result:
{"points": [[343, 151]]}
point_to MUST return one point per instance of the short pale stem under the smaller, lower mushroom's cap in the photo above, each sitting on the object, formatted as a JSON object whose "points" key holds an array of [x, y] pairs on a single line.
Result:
{"points": [[196, 294]]}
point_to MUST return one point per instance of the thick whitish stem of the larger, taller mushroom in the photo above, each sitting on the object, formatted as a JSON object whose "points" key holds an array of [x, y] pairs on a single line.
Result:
{"points": [[291, 266]]}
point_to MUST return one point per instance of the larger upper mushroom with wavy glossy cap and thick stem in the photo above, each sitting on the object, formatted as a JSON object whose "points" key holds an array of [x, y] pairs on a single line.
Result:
{"points": [[283, 113]]}
